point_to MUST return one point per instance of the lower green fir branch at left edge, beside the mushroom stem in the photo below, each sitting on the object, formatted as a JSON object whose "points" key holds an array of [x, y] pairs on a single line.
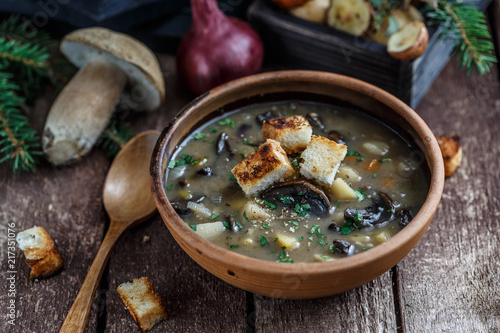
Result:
{"points": [[18, 142]]}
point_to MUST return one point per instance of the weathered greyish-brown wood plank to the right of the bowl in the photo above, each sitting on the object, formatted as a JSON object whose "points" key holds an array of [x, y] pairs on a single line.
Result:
{"points": [[449, 282]]}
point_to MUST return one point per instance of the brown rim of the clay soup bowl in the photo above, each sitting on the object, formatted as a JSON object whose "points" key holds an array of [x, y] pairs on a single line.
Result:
{"points": [[419, 223]]}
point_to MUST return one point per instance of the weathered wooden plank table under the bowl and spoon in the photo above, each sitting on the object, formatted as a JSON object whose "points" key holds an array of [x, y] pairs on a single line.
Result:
{"points": [[448, 283]]}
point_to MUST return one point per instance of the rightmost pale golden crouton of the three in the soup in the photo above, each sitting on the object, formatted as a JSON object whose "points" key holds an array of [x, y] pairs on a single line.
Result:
{"points": [[321, 159]]}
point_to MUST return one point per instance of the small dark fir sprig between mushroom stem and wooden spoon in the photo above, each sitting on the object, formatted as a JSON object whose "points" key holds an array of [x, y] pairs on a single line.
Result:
{"points": [[115, 136]]}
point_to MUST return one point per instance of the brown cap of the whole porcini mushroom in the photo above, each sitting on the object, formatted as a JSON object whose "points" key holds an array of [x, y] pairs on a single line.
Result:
{"points": [[146, 89]]}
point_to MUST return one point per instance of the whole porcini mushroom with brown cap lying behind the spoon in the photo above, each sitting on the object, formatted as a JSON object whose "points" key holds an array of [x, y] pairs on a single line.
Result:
{"points": [[113, 66]]}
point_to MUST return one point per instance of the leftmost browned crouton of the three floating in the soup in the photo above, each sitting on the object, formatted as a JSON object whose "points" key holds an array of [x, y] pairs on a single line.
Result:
{"points": [[264, 167]]}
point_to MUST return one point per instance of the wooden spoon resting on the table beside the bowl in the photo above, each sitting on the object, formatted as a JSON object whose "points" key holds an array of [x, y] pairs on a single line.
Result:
{"points": [[128, 200]]}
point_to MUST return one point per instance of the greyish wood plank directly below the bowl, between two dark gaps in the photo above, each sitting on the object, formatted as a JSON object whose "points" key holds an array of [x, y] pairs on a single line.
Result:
{"points": [[369, 308]]}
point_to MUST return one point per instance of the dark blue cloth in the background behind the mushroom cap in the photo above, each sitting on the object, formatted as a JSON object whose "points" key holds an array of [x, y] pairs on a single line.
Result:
{"points": [[158, 23]]}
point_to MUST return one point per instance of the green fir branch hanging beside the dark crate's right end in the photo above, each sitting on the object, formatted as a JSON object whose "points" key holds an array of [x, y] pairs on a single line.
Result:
{"points": [[466, 25]]}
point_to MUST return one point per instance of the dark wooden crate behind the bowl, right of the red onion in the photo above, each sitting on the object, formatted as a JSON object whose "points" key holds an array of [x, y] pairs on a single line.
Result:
{"points": [[292, 42]]}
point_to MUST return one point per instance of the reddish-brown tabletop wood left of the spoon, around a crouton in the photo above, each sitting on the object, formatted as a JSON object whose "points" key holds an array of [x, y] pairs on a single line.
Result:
{"points": [[72, 214]]}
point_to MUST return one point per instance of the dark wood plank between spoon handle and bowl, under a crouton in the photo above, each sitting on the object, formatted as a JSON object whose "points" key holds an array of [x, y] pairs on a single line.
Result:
{"points": [[195, 300]]}
